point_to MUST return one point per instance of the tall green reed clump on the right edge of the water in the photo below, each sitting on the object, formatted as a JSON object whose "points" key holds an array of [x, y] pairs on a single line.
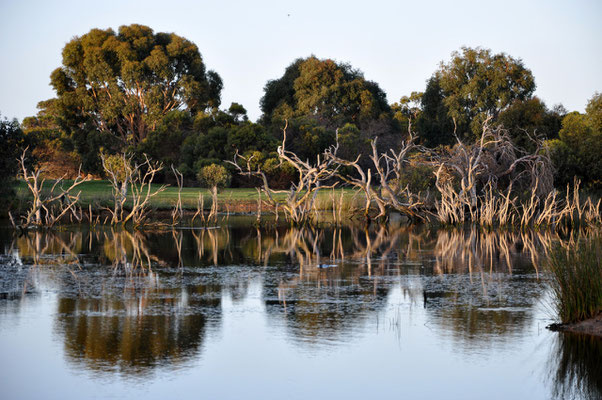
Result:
{"points": [[577, 280]]}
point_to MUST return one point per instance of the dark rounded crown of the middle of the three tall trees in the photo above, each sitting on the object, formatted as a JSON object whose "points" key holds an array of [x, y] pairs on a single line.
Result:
{"points": [[317, 97]]}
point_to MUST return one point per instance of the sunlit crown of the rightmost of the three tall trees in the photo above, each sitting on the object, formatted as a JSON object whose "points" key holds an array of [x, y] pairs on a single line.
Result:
{"points": [[476, 83]]}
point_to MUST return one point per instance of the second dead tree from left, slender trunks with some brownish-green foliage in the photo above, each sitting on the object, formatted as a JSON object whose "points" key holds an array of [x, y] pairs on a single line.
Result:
{"points": [[137, 177]]}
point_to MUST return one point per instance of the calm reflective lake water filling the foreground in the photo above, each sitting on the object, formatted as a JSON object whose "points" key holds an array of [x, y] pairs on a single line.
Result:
{"points": [[278, 313]]}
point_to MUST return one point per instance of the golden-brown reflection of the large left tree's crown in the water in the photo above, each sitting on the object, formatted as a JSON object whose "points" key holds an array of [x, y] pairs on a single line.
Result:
{"points": [[127, 335]]}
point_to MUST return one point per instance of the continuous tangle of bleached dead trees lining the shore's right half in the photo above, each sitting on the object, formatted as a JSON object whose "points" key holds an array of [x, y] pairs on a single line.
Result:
{"points": [[491, 182]]}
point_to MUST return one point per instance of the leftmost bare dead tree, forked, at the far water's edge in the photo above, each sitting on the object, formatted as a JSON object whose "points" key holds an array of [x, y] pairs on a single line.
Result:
{"points": [[48, 206]]}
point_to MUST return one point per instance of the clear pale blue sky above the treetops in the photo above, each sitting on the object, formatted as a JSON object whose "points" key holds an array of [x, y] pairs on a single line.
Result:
{"points": [[398, 44]]}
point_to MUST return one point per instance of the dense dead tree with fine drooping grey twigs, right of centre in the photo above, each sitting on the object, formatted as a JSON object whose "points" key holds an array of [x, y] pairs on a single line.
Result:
{"points": [[468, 178]]}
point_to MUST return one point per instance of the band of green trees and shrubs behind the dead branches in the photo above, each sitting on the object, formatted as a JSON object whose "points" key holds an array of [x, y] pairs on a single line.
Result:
{"points": [[139, 92]]}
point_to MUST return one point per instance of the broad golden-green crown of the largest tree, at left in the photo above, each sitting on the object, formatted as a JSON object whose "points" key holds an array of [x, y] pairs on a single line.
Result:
{"points": [[124, 83]]}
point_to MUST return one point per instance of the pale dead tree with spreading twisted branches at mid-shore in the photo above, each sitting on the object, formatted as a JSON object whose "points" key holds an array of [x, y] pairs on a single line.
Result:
{"points": [[300, 198]]}
